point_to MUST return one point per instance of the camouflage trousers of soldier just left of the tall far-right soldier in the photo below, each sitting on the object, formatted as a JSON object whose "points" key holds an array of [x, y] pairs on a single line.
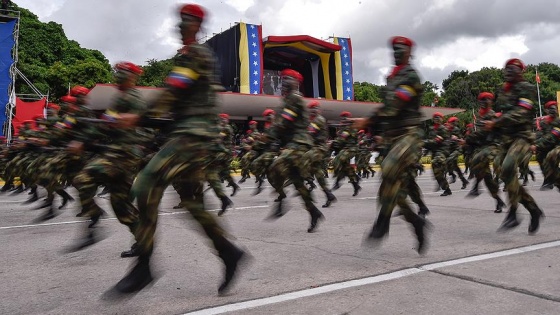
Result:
{"points": [[480, 167]]}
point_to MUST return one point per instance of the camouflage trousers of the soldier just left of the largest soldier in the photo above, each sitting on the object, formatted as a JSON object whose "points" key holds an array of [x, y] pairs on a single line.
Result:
{"points": [[116, 175]]}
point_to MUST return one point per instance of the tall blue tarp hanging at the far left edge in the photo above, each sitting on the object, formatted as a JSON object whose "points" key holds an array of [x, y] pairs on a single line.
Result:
{"points": [[6, 44]]}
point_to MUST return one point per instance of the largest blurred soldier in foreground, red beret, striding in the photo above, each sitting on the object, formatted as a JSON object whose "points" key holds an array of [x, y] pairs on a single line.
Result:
{"points": [[191, 96]]}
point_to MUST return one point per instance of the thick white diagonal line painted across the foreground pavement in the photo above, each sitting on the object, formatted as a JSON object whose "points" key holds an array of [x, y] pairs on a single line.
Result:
{"points": [[365, 281]]}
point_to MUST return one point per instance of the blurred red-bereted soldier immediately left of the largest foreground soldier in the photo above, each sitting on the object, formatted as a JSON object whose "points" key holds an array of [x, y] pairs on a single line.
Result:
{"points": [[117, 159]]}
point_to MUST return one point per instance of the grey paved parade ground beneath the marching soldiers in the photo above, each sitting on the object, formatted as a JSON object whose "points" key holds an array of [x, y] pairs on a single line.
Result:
{"points": [[469, 267]]}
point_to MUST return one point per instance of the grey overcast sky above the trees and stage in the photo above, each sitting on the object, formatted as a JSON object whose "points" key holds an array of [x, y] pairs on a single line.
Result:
{"points": [[450, 34]]}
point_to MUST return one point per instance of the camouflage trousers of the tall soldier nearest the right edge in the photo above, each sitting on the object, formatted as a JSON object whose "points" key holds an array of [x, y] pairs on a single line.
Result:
{"points": [[516, 154]]}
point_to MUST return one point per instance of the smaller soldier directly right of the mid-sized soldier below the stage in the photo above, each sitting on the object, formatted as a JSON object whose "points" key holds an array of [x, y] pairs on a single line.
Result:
{"points": [[315, 157]]}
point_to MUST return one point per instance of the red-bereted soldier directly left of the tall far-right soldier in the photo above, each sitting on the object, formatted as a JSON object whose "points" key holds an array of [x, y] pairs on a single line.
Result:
{"points": [[486, 148]]}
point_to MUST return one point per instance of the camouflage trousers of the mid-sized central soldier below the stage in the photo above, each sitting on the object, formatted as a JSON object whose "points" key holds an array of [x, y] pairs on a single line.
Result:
{"points": [[289, 165]]}
